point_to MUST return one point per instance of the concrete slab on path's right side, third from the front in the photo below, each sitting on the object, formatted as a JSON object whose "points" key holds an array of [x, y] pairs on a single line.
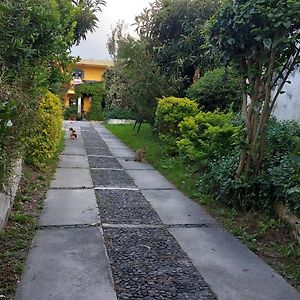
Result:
{"points": [[149, 179]]}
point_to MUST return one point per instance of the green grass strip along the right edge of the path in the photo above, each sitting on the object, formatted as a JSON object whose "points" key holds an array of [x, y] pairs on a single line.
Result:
{"points": [[265, 235]]}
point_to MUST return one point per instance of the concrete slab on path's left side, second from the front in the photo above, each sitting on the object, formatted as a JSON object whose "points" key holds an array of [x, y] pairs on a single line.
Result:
{"points": [[69, 207]]}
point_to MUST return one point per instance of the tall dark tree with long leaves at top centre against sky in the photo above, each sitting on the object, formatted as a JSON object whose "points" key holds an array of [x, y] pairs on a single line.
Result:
{"points": [[173, 30]]}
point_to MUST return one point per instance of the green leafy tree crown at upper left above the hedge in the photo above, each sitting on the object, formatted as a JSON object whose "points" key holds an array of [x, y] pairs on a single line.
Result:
{"points": [[36, 39]]}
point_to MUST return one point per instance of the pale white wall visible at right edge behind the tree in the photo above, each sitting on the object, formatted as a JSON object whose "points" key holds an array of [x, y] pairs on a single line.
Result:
{"points": [[288, 104]]}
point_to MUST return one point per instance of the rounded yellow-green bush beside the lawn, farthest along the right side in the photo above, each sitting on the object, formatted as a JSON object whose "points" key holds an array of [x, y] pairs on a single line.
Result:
{"points": [[169, 113]]}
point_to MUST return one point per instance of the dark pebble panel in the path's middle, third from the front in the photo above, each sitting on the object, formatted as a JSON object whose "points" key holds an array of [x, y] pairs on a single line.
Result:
{"points": [[111, 178]]}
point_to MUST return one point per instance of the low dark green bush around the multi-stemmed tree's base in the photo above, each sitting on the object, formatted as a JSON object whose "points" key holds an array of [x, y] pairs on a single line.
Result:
{"points": [[279, 179]]}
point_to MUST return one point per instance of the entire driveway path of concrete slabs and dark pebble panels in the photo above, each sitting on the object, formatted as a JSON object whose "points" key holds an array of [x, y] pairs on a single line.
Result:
{"points": [[113, 228]]}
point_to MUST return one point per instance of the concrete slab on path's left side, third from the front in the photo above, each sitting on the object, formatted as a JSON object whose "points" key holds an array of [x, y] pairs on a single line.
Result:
{"points": [[72, 178]]}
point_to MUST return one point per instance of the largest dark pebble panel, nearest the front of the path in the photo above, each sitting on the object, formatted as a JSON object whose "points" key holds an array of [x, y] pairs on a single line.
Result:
{"points": [[149, 264]]}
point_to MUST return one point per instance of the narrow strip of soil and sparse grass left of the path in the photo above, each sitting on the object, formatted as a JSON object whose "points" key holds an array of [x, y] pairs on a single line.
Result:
{"points": [[15, 240]]}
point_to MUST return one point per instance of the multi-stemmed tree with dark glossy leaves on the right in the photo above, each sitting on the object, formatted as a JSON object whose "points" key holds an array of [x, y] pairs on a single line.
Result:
{"points": [[262, 37]]}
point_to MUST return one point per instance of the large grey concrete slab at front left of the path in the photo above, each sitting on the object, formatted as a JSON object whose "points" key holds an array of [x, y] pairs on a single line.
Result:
{"points": [[67, 264]]}
